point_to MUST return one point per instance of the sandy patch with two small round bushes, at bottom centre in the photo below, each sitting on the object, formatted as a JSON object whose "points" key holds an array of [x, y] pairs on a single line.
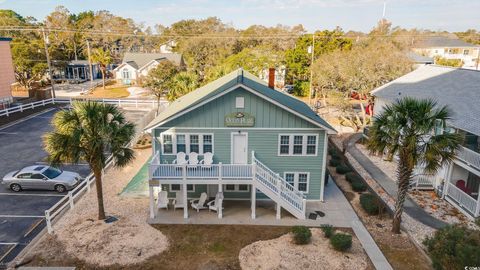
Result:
{"points": [[283, 253]]}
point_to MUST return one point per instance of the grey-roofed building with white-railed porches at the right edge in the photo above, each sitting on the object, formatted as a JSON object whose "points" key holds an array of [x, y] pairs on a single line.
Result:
{"points": [[459, 182]]}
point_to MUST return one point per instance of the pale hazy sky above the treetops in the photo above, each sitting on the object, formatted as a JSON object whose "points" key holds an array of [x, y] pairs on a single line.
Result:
{"points": [[358, 15]]}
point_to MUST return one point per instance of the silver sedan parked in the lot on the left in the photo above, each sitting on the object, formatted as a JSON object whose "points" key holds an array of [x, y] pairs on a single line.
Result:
{"points": [[41, 177]]}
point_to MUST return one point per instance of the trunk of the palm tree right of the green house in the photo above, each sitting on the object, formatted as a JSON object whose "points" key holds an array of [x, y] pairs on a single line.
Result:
{"points": [[405, 171]]}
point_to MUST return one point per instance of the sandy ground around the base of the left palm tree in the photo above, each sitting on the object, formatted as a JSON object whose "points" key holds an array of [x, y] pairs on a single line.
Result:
{"points": [[127, 241]]}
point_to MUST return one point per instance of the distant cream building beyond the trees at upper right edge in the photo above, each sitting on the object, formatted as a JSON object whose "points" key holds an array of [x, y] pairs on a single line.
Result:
{"points": [[449, 48]]}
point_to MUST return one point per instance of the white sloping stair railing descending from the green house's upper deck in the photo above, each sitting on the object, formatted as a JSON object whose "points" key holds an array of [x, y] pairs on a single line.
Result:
{"points": [[276, 184]]}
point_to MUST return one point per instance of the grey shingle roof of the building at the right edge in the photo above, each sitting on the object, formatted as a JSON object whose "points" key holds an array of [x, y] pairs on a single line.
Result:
{"points": [[459, 89]]}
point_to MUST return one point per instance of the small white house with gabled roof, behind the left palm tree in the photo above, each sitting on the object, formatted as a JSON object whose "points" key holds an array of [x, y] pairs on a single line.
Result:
{"points": [[137, 65]]}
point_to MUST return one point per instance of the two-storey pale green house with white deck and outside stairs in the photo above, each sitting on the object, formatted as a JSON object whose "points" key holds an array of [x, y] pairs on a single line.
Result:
{"points": [[265, 144]]}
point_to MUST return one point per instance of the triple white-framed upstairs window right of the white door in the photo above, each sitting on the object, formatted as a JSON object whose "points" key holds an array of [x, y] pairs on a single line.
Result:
{"points": [[297, 145]]}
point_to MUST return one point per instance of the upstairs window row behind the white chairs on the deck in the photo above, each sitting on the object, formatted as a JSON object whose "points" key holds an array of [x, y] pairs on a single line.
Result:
{"points": [[173, 143]]}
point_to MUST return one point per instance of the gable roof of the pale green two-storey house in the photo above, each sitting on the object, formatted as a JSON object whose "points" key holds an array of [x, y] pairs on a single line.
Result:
{"points": [[231, 81]]}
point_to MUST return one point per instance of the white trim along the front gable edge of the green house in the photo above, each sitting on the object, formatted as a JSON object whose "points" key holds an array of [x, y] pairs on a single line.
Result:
{"points": [[250, 90]]}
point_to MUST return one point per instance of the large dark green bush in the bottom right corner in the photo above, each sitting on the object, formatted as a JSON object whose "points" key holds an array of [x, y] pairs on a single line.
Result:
{"points": [[454, 247]]}
